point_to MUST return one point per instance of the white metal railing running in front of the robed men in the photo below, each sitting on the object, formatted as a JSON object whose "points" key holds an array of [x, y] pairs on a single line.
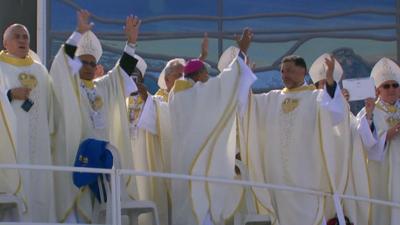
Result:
{"points": [[116, 175]]}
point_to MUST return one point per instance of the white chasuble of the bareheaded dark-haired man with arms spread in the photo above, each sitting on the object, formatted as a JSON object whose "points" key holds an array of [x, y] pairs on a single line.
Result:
{"points": [[291, 141]]}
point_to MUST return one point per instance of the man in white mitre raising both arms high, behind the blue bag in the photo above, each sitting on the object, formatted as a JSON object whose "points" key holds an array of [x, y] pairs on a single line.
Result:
{"points": [[90, 108]]}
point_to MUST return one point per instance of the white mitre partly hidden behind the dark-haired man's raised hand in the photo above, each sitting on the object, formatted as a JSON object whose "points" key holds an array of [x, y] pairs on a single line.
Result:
{"points": [[318, 69]]}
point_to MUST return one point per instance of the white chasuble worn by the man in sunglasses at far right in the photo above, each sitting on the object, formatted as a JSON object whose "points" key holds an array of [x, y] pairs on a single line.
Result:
{"points": [[383, 163]]}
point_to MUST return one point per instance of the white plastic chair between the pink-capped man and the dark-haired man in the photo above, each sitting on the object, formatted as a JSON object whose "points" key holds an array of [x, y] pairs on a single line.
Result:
{"points": [[250, 215]]}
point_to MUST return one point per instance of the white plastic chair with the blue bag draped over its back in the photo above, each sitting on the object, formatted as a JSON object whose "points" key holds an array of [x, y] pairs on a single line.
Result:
{"points": [[130, 208]]}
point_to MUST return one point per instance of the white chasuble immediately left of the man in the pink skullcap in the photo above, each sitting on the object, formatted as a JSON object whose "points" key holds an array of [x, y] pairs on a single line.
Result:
{"points": [[150, 149]]}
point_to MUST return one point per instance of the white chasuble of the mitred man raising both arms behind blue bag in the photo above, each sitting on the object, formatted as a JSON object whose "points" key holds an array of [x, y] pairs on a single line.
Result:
{"points": [[81, 119]]}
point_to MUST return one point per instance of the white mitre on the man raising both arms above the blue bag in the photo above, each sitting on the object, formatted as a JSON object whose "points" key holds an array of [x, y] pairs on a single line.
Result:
{"points": [[89, 44]]}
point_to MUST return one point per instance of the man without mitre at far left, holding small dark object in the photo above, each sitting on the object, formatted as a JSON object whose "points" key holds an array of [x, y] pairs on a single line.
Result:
{"points": [[27, 85]]}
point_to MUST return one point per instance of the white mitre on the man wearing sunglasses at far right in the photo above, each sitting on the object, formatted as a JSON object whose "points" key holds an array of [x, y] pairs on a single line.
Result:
{"points": [[384, 70]]}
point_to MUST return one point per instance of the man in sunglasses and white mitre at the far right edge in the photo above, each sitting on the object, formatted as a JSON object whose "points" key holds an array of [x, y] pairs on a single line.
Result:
{"points": [[382, 140]]}
